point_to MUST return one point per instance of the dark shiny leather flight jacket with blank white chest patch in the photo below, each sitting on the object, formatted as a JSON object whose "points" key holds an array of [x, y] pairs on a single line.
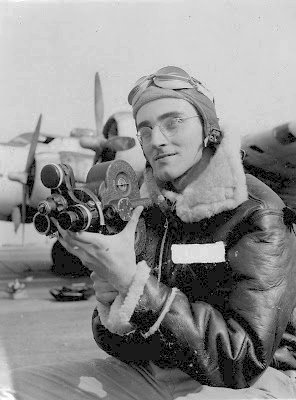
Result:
{"points": [[227, 323]]}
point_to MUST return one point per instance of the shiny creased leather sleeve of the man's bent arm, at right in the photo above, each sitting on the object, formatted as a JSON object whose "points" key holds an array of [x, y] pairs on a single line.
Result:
{"points": [[230, 348]]}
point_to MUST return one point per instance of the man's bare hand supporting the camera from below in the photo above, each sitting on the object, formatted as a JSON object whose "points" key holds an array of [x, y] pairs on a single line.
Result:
{"points": [[112, 258]]}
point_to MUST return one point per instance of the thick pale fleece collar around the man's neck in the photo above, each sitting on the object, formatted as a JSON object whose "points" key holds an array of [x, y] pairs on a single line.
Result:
{"points": [[220, 187]]}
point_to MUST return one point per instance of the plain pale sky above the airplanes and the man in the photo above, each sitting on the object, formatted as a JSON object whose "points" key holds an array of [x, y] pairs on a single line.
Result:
{"points": [[243, 50]]}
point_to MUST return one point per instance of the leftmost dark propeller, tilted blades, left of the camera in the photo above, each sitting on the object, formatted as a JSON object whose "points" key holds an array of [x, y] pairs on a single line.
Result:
{"points": [[22, 177]]}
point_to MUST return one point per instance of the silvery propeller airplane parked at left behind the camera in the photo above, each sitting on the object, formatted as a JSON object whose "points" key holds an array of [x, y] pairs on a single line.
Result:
{"points": [[23, 157]]}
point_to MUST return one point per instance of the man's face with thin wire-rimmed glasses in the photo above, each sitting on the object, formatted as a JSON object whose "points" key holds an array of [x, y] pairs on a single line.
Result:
{"points": [[171, 156]]}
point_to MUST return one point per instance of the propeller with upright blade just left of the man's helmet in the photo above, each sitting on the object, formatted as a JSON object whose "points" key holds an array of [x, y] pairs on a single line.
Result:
{"points": [[99, 143]]}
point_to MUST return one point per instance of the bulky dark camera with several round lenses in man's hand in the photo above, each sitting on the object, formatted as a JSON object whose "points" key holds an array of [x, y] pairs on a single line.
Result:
{"points": [[103, 204]]}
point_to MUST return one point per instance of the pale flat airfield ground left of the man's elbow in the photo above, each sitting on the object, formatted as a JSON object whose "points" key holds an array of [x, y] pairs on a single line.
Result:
{"points": [[39, 330]]}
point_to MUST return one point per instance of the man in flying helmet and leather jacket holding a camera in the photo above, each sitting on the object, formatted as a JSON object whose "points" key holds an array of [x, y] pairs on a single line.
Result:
{"points": [[201, 312]]}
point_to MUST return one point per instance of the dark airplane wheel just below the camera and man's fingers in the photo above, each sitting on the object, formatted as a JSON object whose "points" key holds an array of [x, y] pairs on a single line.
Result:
{"points": [[65, 263]]}
